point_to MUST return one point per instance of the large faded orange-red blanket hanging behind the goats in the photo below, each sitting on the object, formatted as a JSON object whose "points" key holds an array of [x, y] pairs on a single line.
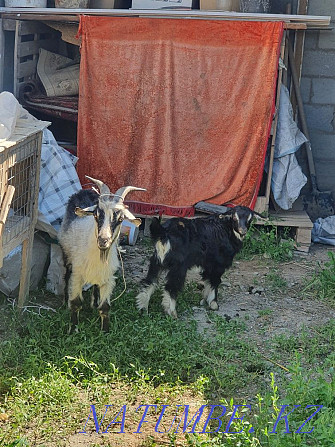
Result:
{"points": [[180, 107]]}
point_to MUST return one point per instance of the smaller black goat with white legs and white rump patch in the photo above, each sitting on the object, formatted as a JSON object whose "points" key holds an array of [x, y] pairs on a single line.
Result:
{"points": [[209, 243]]}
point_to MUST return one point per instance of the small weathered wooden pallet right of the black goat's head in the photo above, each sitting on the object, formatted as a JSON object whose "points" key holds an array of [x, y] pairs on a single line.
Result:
{"points": [[297, 220]]}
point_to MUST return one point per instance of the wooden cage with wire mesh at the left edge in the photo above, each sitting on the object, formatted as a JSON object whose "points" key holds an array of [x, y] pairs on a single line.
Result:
{"points": [[19, 184]]}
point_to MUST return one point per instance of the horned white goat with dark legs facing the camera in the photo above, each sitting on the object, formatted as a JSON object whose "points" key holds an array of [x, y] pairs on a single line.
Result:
{"points": [[89, 239]]}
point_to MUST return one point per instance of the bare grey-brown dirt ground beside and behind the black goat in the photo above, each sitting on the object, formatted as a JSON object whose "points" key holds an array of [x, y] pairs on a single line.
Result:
{"points": [[270, 294]]}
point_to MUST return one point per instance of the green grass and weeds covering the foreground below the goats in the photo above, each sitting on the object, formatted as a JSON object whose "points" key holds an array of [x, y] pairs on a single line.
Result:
{"points": [[49, 379]]}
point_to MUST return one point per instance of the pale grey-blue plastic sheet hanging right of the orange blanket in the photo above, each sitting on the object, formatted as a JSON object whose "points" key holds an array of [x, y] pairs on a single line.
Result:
{"points": [[287, 177]]}
